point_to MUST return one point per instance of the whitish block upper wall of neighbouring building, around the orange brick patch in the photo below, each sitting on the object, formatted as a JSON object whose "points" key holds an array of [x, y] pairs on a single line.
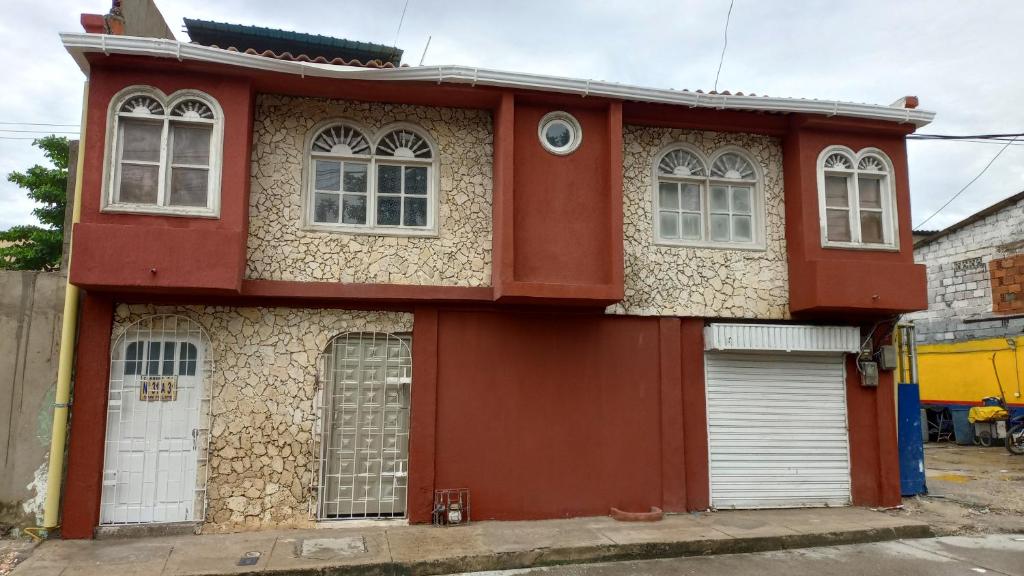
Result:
{"points": [[960, 279]]}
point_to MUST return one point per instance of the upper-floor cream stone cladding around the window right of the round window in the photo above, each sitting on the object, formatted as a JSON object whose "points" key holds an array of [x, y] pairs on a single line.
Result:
{"points": [[702, 282]]}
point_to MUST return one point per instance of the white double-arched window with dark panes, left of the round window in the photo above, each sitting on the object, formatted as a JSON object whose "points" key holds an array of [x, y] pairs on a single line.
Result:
{"points": [[383, 184]]}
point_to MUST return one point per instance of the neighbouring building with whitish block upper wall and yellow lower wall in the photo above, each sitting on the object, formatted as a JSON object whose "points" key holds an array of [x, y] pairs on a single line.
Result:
{"points": [[970, 339]]}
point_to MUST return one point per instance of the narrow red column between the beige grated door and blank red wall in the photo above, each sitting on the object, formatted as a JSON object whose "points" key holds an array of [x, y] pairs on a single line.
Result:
{"points": [[423, 417]]}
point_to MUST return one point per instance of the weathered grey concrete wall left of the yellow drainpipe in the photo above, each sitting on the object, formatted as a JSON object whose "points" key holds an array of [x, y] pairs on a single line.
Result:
{"points": [[31, 310]]}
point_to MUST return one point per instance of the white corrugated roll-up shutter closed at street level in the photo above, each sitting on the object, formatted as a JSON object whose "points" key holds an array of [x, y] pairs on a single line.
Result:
{"points": [[778, 432]]}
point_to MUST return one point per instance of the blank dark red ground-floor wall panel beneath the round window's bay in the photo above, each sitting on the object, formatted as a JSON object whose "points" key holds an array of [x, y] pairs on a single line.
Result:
{"points": [[549, 417]]}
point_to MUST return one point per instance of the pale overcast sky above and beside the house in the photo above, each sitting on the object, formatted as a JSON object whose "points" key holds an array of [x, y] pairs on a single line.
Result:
{"points": [[962, 59]]}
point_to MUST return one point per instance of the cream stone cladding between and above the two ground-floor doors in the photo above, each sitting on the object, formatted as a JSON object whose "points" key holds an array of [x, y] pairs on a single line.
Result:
{"points": [[264, 377]]}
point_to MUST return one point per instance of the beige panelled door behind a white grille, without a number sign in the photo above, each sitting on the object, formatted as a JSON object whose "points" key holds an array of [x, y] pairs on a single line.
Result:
{"points": [[365, 451]]}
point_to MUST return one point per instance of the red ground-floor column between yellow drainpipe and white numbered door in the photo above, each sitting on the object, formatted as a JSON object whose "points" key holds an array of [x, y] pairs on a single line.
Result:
{"points": [[83, 482]]}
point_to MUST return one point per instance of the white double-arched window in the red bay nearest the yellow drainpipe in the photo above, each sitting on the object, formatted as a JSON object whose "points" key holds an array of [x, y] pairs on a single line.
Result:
{"points": [[164, 153]]}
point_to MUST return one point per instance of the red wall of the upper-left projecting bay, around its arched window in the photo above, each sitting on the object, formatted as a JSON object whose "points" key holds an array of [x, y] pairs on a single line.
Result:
{"points": [[121, 252]]}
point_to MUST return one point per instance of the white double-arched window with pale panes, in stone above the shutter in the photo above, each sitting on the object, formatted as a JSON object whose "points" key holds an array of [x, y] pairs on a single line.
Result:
{"points": [[714, 203]]}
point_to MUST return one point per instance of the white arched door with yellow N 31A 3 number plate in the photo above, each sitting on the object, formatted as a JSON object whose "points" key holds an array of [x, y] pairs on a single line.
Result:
{"points": [[157, 432]]}
